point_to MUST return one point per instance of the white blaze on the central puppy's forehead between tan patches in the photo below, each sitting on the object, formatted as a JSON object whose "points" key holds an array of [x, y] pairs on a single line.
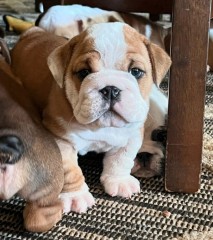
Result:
{"points": [[109, 41]]}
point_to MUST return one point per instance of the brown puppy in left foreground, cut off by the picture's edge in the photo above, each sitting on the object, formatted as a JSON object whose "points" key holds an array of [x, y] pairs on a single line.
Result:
{"points": [[30, 161]]}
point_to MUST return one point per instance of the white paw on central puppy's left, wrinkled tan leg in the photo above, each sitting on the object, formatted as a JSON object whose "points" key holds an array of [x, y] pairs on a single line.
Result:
{"points": [[78, 201]]}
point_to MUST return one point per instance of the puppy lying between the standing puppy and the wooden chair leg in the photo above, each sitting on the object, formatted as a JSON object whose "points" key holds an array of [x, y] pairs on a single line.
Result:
{"points": [[150, 159]]}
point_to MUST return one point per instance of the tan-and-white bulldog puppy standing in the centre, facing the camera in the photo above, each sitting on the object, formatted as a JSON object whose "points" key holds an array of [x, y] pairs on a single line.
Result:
{"points": [[94, 93]]}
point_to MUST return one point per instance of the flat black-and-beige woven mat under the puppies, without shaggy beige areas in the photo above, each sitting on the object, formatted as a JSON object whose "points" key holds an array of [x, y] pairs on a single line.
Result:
{"points": [[114, 218]]}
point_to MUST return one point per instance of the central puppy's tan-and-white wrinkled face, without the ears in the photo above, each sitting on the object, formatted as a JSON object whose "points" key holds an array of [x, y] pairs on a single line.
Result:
{"points": [[108, 76]]}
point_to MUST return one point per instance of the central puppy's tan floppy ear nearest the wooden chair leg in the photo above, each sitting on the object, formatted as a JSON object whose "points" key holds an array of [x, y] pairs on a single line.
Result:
{"points": [[160, 61]]}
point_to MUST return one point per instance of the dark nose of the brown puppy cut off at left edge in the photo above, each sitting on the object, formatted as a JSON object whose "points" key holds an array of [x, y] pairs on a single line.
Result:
{"points": [[11, 149]]}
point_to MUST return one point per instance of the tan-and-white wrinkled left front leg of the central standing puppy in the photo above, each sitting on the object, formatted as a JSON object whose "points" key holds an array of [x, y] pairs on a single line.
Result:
{"points": [[75, 193]]}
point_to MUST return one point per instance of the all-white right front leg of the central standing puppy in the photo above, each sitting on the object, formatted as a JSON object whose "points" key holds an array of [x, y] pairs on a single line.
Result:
{"points": [[118, 163]]}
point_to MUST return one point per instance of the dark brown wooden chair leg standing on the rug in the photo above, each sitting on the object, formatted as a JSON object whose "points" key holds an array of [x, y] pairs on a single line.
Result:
{"points": [[187, 94]]}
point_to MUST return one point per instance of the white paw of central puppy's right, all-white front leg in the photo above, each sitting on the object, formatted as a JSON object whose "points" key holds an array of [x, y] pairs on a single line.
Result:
{"points": [[120, 186]]}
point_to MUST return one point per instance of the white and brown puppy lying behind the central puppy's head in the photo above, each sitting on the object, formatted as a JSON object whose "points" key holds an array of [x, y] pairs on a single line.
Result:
{"points": [[70, 20]]}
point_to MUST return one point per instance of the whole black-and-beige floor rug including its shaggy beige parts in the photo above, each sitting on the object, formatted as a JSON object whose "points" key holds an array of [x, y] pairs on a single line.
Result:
{"points": [[153, 214]]}
